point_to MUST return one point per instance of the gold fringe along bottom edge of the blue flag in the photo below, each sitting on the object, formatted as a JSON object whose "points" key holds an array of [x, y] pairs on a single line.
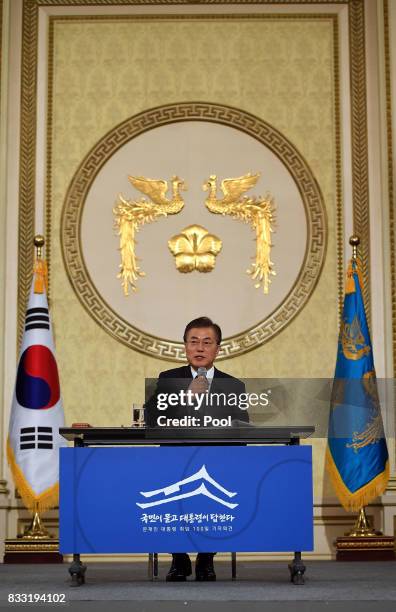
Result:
{"points": [[353, 502]]}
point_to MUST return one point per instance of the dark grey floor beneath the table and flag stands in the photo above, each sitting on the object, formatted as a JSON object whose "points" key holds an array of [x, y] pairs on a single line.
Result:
{"points": [[330, 586]]}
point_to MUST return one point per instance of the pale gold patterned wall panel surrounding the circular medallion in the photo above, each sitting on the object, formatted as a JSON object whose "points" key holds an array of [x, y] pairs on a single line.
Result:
{"points": [[116, 73]]}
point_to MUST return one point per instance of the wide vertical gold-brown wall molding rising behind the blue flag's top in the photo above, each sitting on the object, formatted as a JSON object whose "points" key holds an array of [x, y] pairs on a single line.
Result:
{"points": [[360, 184]]}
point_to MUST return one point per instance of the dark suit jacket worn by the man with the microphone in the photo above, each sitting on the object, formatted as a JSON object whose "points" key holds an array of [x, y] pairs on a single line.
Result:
{"points": [[219, 406]]}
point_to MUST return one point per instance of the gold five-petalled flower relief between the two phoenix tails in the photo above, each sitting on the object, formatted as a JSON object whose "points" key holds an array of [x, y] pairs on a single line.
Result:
{"points": [[195, 249]]}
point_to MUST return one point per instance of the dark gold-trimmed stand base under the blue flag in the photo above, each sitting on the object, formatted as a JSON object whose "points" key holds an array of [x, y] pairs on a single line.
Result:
{"points": [[363, 543]]}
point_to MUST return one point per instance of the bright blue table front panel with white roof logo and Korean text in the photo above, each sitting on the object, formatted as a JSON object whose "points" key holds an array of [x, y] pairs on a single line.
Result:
{"points": [[186, 498]]}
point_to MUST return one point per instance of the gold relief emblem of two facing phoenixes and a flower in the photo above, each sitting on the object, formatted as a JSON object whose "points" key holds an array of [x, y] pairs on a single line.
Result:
{"points": [[194, 248]]}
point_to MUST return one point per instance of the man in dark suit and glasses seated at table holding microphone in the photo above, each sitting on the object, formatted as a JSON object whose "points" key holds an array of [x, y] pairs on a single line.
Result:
{"points": [[201, 383]]}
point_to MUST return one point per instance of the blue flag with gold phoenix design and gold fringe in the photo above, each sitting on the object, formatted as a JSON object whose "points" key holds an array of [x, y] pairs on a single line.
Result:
{"points": [[357, 454]]}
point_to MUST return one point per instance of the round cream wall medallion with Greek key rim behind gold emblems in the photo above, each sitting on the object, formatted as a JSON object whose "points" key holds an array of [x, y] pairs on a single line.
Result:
{"points": [[193, 140]]}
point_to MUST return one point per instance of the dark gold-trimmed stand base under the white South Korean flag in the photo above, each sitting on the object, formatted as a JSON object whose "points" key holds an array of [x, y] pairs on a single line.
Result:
{"points": [[36, 545]]}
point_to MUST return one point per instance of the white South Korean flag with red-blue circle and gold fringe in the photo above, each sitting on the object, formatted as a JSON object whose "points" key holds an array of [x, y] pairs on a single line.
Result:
{"points": [[37, 412]]}
